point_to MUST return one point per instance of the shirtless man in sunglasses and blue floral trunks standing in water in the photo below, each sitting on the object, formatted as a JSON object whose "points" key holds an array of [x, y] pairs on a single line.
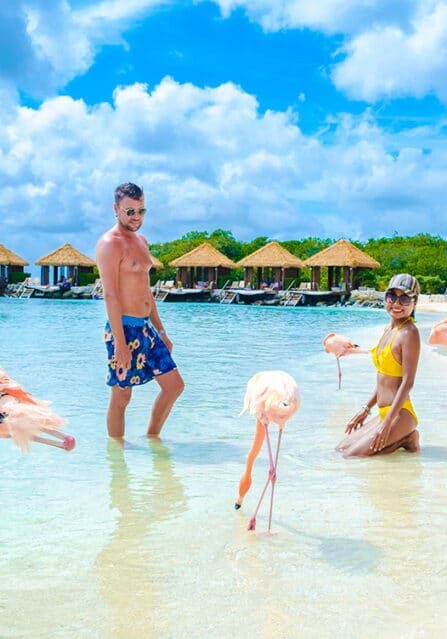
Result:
{"points": [[138, 348]]}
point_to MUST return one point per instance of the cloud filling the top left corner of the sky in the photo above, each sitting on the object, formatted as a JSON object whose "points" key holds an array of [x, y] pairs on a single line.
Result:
{"points": [[46, 43]]}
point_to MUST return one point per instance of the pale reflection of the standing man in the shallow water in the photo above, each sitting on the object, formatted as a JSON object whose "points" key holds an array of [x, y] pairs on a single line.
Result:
{"points": [[127, 568]]}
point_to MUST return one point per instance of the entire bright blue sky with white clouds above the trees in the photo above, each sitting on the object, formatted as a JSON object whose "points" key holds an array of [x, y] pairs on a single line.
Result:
{"points": [[265, 117]]}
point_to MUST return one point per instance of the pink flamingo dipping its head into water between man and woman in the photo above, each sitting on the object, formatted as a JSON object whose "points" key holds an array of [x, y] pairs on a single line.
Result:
{"points": [[271, 396]]}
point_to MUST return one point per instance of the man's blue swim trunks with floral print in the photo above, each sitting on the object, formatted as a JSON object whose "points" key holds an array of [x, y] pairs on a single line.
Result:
{"points": [[150, 356]]}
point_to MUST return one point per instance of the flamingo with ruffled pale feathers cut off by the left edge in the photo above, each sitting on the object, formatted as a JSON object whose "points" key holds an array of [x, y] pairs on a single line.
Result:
{"points": [[24, 418]]}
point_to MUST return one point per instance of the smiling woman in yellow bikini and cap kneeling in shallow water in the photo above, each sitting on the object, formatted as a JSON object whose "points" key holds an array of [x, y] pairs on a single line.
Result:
{"points": [[395, 358]]}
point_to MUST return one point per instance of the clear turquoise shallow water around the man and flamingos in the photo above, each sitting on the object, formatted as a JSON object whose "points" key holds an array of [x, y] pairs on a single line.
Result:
{"points": [[142, 541]]}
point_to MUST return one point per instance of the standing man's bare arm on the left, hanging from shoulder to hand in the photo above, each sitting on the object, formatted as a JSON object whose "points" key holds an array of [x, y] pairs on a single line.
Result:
{"points": [[108, 258]]}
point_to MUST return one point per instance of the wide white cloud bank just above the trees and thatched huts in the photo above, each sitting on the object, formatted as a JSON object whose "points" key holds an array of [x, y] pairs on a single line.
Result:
{"points": [[207, 158]]}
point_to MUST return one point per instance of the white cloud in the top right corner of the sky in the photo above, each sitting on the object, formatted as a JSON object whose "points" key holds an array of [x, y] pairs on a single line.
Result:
{"points": [[391, 49]]}
